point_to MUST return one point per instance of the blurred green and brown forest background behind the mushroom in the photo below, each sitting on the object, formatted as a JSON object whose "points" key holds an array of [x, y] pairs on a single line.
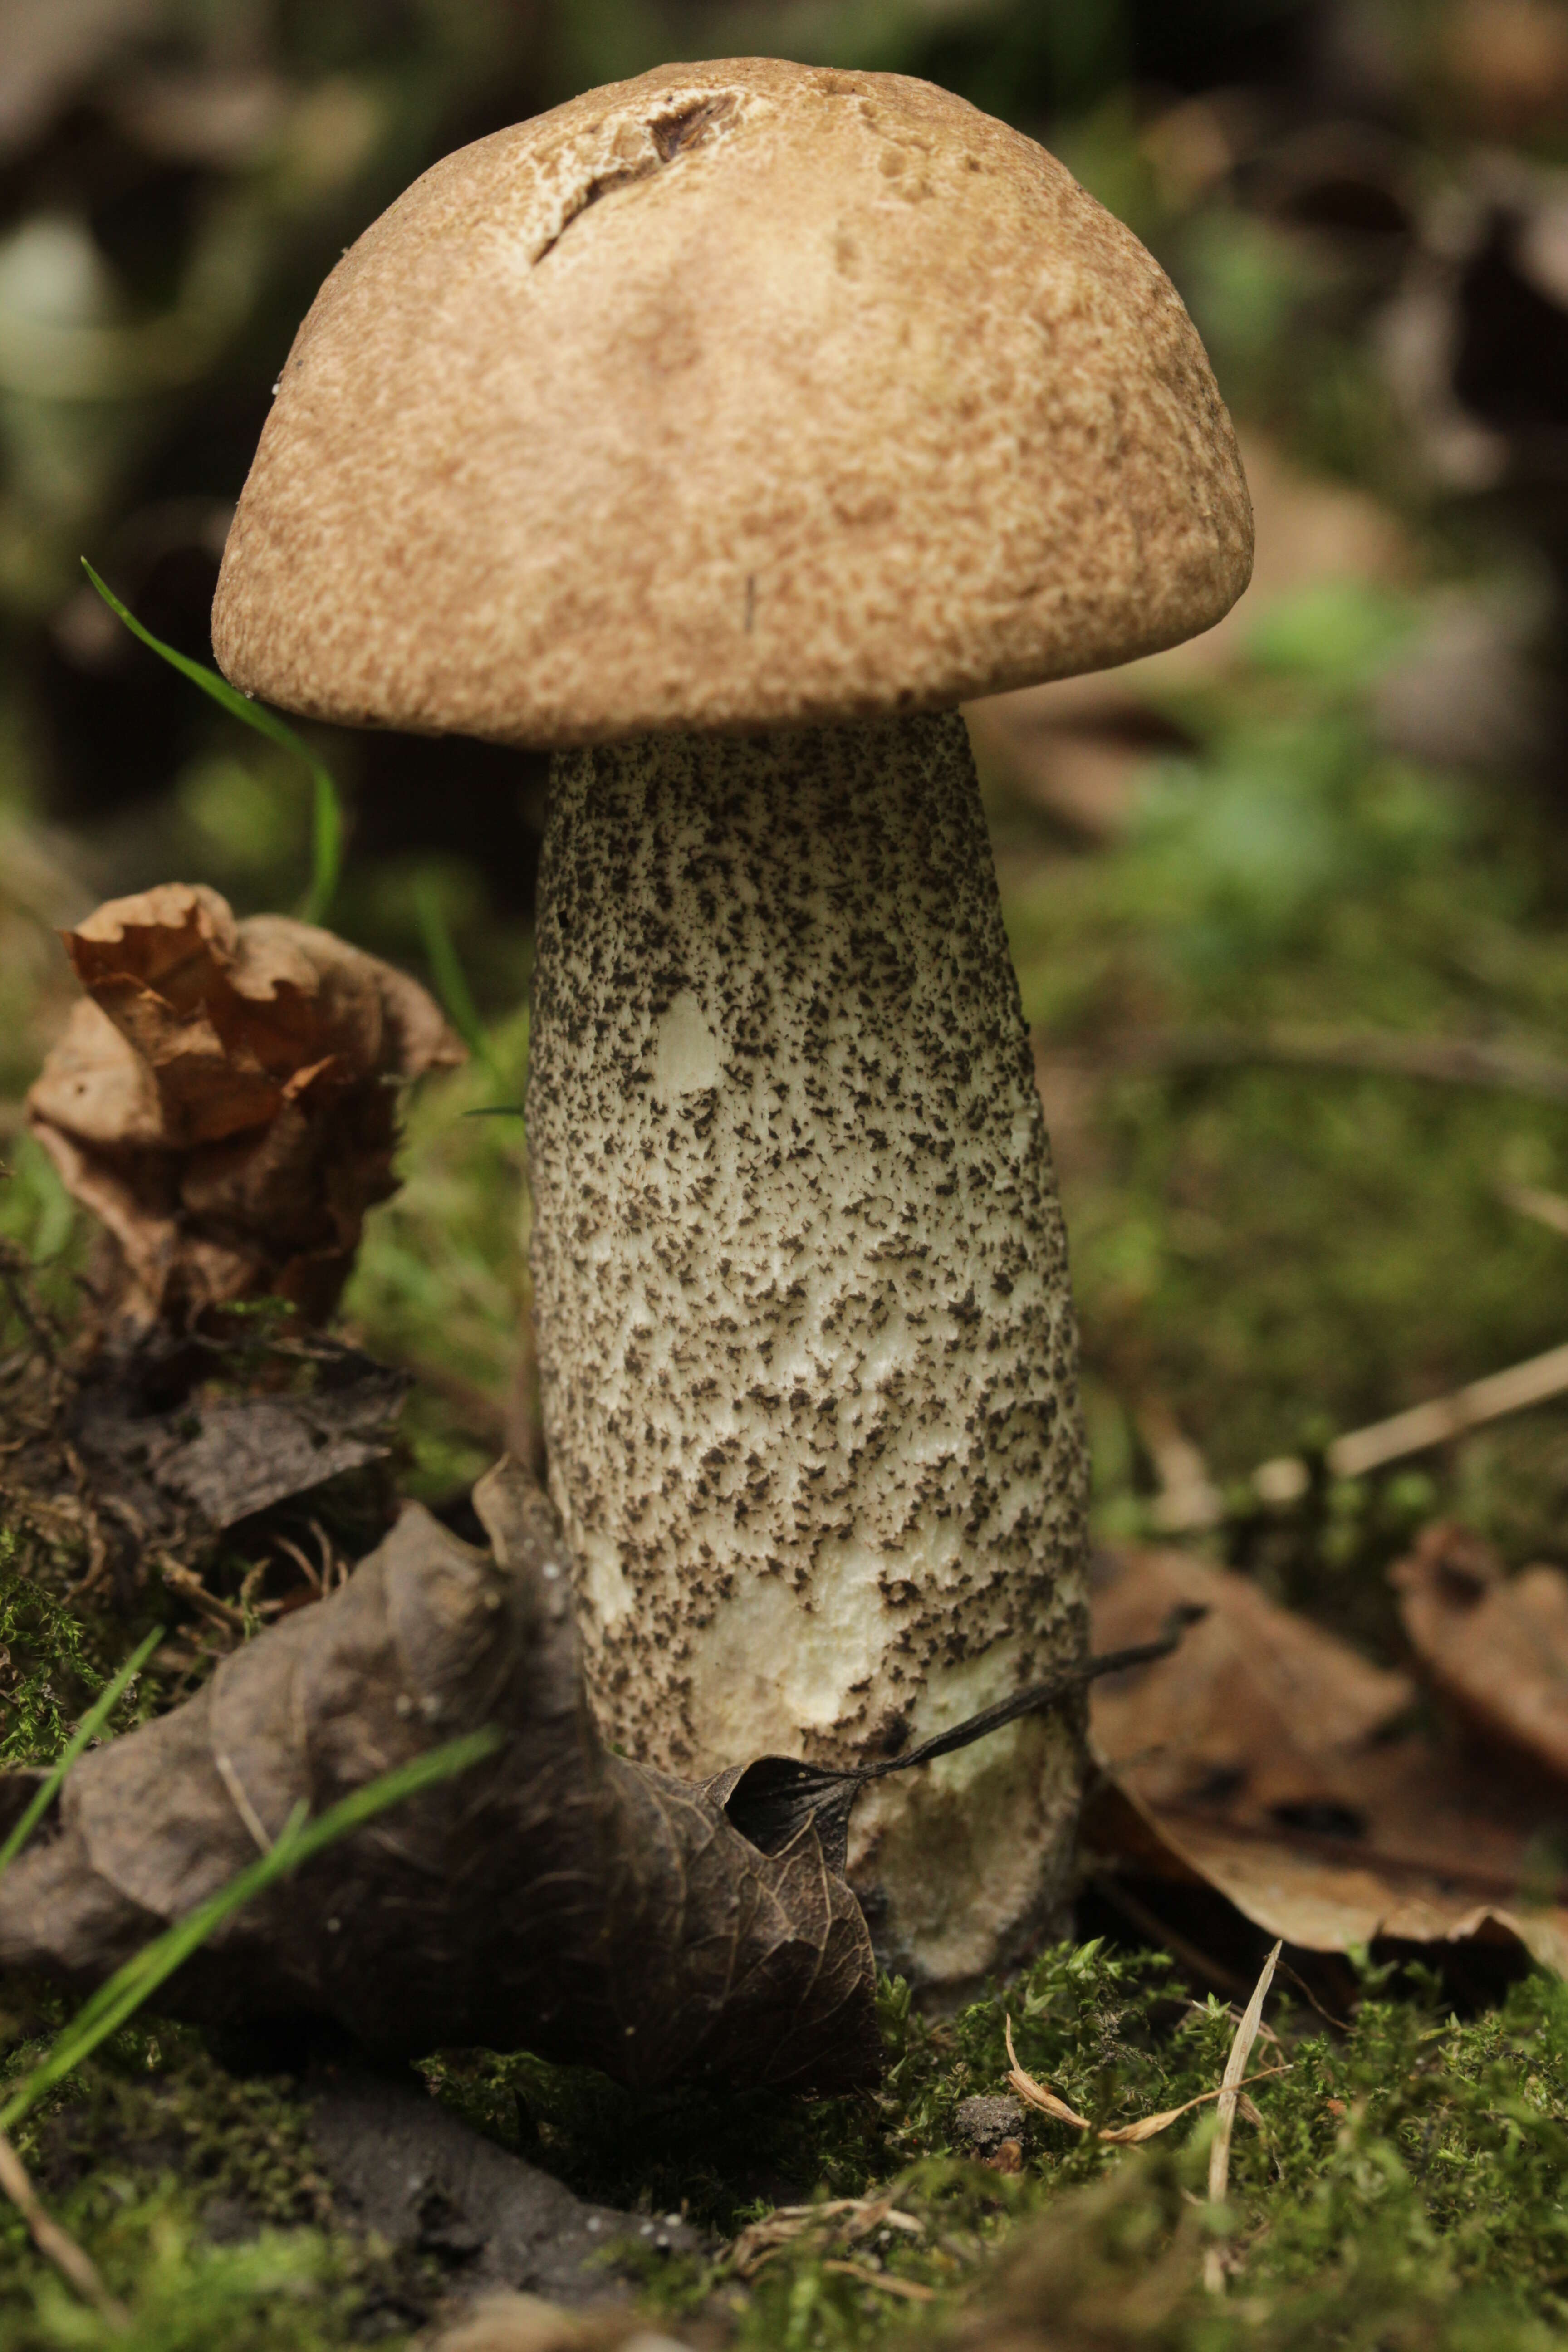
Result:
{"points": [[1336, 817]]}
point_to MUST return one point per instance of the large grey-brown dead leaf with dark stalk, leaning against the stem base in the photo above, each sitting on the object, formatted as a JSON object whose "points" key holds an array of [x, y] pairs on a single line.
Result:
{"points": [[558, 1899]]}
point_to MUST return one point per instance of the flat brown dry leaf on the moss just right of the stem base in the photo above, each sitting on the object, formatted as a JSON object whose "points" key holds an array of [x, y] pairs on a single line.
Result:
{"points": [[1266, 1763]]}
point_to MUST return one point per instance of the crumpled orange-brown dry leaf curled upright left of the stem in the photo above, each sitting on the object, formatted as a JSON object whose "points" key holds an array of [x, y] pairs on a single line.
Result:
{"points": [[225, 1100]]}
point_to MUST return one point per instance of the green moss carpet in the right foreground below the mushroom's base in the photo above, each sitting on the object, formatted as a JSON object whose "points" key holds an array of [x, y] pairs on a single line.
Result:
{"points": [[1407, 2186]]}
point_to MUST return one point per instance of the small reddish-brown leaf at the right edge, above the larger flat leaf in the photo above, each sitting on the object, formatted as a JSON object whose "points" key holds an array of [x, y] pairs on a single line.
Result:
{"points": [[1494, 1645]]}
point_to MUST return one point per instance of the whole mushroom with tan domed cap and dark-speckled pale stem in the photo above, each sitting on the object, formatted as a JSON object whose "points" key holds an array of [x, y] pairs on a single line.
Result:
{"points": [[723, 432]]}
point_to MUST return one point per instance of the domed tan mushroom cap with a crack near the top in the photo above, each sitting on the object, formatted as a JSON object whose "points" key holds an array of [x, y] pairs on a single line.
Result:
{"points": [[742, 394]]}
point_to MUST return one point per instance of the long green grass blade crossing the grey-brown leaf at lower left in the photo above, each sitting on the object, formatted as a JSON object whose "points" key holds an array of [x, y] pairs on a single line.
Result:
{"points": [[130, 1986]]}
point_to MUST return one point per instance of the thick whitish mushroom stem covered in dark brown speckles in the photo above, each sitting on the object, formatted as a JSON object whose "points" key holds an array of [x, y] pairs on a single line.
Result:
{"points": [[800, 1274]]}
